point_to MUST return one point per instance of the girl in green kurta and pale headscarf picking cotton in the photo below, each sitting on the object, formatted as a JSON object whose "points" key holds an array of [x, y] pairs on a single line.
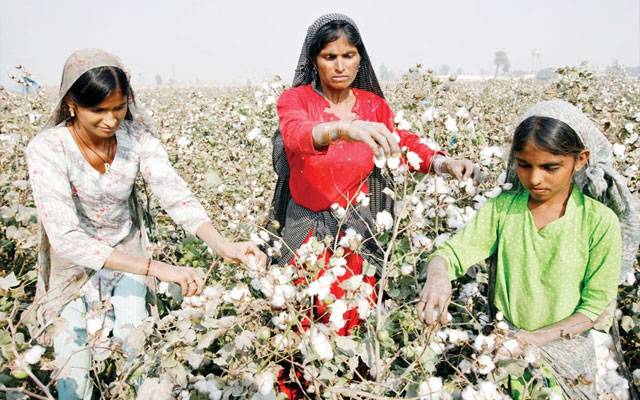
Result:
{"points": [[555, 251]]}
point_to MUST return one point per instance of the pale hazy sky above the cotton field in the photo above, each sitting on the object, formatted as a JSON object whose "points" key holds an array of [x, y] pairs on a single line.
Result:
{"points": [[226, 42]]}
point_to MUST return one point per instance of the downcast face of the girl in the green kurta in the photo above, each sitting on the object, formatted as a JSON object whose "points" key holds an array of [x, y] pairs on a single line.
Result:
{"points": [[545, 175]]}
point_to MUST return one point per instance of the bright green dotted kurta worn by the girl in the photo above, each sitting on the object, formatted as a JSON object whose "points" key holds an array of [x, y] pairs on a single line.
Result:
{"points": [[543, 276]]}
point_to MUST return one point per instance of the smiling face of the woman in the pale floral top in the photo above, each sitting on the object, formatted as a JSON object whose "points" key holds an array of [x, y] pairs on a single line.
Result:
{"points": [[102, 121]]}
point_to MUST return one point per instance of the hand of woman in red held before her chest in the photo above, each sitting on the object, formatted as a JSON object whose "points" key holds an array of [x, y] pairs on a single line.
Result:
{"points": [[374, 134]]}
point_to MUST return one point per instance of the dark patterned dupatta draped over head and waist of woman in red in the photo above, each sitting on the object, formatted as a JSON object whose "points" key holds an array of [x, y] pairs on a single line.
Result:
{"points": [[284, 210]]}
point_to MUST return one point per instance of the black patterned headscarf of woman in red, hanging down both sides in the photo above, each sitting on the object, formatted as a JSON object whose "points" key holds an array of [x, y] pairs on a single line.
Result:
{"points": [[305, 74]]}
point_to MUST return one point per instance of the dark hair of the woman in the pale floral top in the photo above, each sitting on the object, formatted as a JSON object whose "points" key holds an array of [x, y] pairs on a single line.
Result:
{"points": [[92, 87]]}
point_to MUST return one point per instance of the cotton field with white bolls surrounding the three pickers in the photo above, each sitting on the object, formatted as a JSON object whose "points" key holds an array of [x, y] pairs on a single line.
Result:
{"points": [[251, 325]]}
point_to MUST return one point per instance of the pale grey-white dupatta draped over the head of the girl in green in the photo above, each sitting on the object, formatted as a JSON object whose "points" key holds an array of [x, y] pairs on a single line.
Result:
{"points": [[598, 179]]}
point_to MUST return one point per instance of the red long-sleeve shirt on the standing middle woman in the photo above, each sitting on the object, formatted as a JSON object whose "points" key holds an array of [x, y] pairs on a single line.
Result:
{"points": [[338, 172]]}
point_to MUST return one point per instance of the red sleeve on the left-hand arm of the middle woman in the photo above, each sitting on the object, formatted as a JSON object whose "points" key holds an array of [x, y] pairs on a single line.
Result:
{"points": [[295, 124]]}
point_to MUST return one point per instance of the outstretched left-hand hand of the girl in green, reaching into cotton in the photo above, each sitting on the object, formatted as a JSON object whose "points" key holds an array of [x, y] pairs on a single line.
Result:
{"points": [[436, 294]]}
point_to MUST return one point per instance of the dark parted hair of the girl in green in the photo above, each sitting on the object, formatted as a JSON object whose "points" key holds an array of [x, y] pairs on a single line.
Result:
{"points": [[548, 134]]}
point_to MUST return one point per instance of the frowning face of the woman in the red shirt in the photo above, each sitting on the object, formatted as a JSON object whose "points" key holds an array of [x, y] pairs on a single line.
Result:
{"points": [[338, 64]]}
